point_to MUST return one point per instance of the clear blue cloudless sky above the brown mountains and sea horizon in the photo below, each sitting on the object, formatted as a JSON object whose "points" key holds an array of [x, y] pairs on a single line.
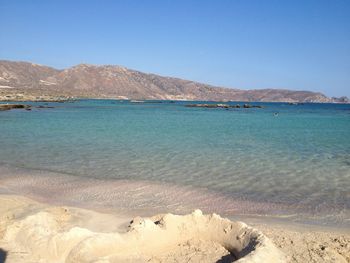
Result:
{"points": [[247, 44]]}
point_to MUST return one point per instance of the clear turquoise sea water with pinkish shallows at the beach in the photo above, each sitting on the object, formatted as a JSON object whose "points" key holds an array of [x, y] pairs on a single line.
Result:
{"points": [[294, 164]]}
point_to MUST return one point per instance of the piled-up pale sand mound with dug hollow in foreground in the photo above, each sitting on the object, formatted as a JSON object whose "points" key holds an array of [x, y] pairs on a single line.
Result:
{"points": [[51, 235]]}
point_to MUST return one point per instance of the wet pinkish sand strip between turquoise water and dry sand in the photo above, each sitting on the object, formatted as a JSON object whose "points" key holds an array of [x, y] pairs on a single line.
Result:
{"points": [[111, 195]]}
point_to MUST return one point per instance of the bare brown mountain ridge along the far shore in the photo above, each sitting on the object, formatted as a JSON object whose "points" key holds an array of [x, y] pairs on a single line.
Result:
{"points": [[23, 80]]}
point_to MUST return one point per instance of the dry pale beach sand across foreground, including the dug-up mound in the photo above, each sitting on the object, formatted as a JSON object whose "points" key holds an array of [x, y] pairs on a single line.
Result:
{"points": [[37, 232]]}
